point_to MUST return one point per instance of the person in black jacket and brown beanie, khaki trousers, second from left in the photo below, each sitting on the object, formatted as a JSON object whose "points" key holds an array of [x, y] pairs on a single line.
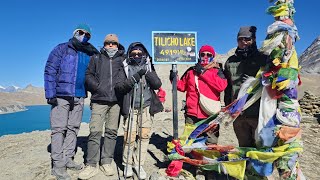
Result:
{"points": [[101, 77]]}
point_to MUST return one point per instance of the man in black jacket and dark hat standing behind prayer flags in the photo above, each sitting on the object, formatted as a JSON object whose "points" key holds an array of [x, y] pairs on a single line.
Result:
{"points": [[246, 62]]}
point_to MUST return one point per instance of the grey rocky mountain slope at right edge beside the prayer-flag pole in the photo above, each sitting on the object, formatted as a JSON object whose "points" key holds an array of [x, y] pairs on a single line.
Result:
{"points": [[310, 58]]}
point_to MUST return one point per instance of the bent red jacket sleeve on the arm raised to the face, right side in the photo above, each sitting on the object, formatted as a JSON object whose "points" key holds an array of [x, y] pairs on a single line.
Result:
{"points": [[213, 80]]}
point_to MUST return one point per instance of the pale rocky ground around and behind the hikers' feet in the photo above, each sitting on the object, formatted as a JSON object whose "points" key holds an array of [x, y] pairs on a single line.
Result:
{"points": [[26, 156]]}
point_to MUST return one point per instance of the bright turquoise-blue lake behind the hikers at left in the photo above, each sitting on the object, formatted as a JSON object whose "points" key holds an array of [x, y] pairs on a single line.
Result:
{"points": [[35, 118]]}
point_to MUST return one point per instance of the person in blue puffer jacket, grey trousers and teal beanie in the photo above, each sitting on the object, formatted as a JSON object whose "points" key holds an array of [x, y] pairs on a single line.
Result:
{"points": [[64, 78]]}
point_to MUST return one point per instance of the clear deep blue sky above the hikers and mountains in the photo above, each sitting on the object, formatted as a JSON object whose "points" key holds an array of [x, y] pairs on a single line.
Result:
{"points": [[30, 29]]}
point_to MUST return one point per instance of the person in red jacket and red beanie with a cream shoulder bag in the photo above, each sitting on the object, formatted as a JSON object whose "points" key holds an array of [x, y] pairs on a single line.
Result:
{"points": [[211, 82]]}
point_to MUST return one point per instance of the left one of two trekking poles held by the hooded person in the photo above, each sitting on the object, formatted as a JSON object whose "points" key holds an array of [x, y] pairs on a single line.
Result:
{"points": [[129, 127]]}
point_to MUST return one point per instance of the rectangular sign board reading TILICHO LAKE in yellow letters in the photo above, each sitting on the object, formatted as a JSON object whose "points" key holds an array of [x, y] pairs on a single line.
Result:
{"points": [[174, 47]]}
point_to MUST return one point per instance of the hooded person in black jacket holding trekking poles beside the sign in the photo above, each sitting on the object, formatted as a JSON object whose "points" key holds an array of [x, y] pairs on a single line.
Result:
{"points": [[138, 72]]}
